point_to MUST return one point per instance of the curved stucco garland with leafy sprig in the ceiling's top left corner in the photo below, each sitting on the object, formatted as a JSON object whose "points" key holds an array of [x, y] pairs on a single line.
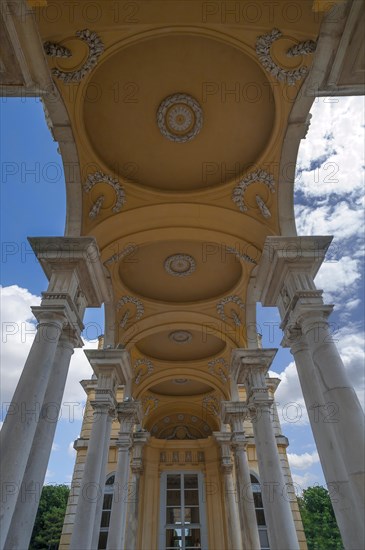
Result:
{"points": [[96, 48]]}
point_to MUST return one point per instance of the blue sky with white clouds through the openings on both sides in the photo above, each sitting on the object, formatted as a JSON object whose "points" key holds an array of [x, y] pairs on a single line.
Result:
{"points": [[329, 200]]}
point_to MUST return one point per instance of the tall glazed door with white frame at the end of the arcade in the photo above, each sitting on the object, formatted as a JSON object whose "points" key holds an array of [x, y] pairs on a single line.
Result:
{"points": [[182, 513]]}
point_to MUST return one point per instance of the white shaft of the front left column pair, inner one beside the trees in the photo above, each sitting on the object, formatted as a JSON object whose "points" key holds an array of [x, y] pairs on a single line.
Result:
{"points": [[26, 508]]}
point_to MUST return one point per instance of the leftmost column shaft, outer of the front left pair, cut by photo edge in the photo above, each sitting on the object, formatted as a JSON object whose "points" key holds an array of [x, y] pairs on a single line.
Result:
{"points": [[21, 422]]}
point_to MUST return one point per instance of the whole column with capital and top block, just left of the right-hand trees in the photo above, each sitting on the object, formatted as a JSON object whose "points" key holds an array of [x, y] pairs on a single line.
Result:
{"points": [[250, 367]]}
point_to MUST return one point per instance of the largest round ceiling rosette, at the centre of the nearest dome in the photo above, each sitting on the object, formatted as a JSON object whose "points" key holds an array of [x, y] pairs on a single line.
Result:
{"points": [[180, 118]]}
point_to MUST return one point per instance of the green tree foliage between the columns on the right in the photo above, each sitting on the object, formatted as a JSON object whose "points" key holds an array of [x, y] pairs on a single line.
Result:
{"points": [[319, 520]]}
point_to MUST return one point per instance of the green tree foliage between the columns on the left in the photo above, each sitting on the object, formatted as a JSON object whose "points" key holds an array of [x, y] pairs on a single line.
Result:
{"points": [[51, 512]]}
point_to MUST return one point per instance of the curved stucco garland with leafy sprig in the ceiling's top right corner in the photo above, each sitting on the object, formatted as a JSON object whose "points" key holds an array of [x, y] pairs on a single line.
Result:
{"points": [[263, 46]]}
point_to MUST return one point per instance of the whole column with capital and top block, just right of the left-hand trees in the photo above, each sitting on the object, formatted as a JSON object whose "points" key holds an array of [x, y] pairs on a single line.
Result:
{"points": [[111, 367]]}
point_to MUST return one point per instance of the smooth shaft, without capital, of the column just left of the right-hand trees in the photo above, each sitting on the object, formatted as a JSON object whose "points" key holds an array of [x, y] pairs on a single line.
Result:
{"points": [[279, 517]]}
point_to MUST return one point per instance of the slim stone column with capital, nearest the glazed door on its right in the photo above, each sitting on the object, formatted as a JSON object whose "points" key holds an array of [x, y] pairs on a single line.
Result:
{"points": [[232, 513]]}
